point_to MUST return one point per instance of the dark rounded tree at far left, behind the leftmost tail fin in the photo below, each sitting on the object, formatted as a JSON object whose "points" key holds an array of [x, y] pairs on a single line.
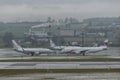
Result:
{"points": [[7, 38]]}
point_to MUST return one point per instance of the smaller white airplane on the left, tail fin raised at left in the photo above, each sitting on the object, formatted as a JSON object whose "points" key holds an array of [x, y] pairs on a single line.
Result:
{"points": [[30, 51]]}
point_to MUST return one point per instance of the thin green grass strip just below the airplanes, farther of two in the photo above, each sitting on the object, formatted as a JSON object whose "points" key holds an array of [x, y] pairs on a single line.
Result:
{"points": [[61, 60]]}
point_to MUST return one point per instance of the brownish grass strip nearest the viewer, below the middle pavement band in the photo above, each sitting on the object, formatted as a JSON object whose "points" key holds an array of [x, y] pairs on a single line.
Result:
{"points": [[7, 72]]}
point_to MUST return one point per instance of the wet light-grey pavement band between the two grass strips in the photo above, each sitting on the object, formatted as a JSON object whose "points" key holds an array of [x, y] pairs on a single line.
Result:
{"points": [[60, 65]]}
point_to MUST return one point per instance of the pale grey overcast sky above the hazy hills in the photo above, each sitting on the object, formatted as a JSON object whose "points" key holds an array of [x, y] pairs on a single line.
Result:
{"points": [[33, 10]]}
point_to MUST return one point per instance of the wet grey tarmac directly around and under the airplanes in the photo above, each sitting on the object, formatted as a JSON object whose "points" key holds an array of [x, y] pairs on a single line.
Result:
{"points": [[7, 53]]}
